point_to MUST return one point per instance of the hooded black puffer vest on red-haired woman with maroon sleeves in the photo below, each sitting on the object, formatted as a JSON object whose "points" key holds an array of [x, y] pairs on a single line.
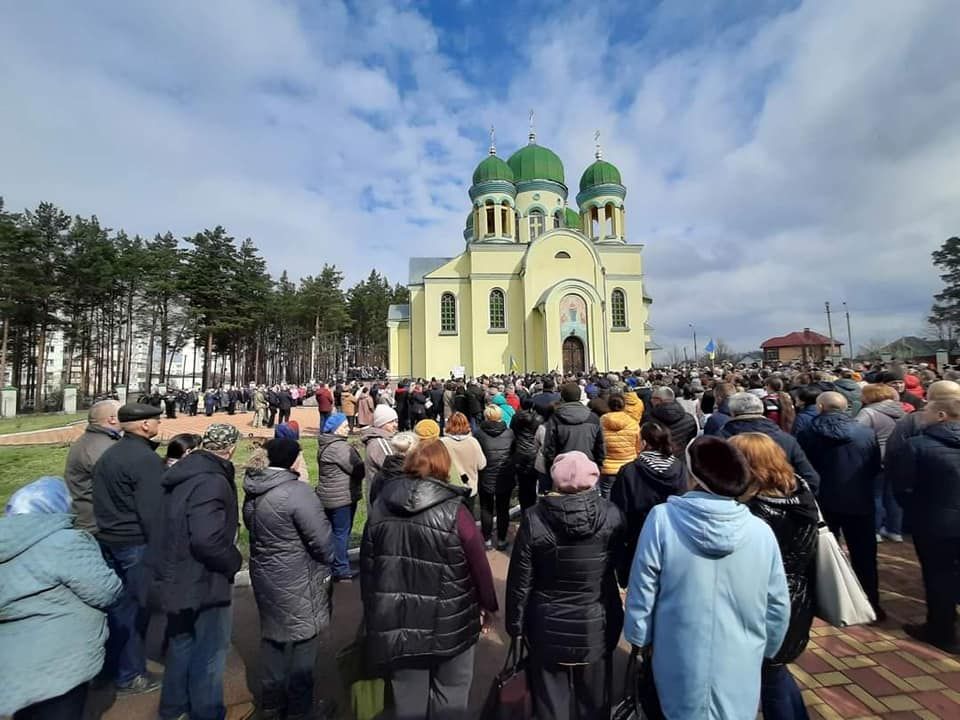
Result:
{"points": [[419, 601]]}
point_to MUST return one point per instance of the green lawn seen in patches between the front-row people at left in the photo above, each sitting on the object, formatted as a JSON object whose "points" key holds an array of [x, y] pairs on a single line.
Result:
{"points": [[20, 465]]}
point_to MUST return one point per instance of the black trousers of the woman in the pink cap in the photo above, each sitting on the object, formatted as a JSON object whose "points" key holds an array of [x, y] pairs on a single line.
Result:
{"points": [[570, 692]]}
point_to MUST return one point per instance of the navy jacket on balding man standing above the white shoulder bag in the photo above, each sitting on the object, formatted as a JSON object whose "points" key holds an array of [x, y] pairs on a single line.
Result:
{"points": [[847, 456]]}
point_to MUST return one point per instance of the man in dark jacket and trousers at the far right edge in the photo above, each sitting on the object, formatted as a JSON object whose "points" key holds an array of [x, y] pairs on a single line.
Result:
{"points": [[925, 470]]}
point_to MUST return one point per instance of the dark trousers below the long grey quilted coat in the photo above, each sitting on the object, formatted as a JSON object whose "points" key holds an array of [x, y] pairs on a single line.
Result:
{"points": [[286, 675]]}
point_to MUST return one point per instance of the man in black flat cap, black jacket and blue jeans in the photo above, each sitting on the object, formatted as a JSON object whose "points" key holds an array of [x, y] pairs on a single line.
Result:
{"points": [[126, 501]]}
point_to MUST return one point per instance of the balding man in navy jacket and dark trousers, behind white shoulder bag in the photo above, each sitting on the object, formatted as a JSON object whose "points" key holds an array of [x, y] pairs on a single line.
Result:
{"points": [[846, 454]]}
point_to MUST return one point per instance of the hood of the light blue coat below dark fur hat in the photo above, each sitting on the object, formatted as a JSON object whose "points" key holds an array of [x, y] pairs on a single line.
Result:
{"points": [[715, 525]]}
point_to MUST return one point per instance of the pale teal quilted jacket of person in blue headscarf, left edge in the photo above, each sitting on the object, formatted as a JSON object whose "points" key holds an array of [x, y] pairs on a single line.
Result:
{"points": [[54, 588]]}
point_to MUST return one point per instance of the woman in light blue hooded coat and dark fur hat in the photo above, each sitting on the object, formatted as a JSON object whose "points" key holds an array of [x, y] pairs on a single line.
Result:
{"points": [[708, 591]]}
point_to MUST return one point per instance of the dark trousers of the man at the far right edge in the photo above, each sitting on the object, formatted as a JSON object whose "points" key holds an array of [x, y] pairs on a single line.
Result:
{"points": [[940, 564]]}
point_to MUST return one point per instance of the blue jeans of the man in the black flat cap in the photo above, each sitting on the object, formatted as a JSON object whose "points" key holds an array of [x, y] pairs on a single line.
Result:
{"points": [[126, 656]]}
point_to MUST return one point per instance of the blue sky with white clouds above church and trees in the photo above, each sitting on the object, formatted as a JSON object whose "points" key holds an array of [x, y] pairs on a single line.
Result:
{"points": [[776, 154]]}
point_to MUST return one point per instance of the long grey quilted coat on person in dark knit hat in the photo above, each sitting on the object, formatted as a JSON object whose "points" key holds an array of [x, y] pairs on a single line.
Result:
{"points": [[291, 551]]}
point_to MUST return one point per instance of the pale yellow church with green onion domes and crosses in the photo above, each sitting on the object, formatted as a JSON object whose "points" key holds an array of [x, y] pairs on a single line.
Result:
{"points": [[539, 287]]}
